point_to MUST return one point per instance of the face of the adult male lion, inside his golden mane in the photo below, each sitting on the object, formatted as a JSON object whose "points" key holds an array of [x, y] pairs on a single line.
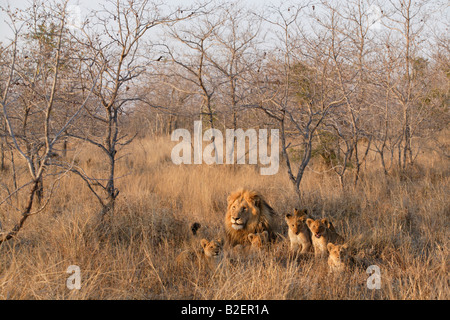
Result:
{"points": [[241, 210]]}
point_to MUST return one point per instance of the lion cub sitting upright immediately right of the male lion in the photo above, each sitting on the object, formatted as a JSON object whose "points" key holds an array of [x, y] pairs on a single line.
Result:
{"points": [[299, 234]]}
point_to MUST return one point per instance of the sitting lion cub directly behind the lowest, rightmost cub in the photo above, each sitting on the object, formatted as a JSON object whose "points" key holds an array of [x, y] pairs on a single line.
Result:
{"points": [[323, 232]]}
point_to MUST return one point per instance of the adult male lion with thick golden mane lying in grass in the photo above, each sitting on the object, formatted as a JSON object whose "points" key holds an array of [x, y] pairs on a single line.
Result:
{"points": [[247, 213]]}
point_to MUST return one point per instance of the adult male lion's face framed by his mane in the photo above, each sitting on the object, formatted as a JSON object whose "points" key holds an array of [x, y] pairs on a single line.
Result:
{"points": [[243, 208]]}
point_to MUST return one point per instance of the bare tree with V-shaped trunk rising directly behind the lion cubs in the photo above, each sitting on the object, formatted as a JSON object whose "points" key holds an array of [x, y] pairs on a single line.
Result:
{"points": [[293, 89]]}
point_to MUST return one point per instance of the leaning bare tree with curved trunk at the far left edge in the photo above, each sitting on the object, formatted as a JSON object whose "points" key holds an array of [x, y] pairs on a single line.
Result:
{"points": [[36, 155]]}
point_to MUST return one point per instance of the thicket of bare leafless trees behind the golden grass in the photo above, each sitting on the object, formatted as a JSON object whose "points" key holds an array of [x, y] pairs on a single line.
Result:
{"points": [[337, 80]]}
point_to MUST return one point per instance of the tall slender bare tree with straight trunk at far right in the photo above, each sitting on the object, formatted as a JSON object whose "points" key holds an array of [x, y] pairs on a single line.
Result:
{"points": [[406, 18]]}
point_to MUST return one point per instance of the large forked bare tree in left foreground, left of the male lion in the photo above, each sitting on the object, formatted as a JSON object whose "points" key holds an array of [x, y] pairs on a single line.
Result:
{"points": [[114, 50]]}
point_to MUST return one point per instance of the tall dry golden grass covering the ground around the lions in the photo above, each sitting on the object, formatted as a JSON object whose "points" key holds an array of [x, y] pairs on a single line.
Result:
{"points": [[400, 223]]}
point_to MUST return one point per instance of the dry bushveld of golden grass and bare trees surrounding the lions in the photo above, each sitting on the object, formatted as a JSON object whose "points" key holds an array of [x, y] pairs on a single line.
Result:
{"points": [[358, 92]]}
